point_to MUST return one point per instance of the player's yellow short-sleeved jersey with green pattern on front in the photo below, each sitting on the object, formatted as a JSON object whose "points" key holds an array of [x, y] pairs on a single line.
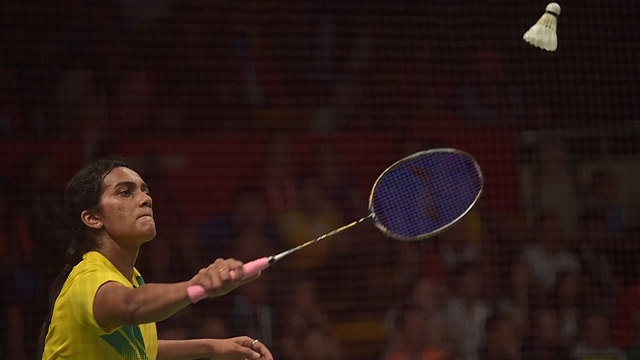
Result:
{"points": [[74, 332]]}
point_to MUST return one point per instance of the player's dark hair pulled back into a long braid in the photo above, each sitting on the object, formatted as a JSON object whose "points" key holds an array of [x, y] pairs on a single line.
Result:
{"points": [[83, 192]]}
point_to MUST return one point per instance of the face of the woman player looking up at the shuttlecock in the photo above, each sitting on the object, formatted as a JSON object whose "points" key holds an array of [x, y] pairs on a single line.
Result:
{"points": [[125, 208]]}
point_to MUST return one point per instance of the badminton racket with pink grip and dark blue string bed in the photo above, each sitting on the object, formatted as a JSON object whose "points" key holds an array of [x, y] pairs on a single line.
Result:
{"points": [[416, 198]]}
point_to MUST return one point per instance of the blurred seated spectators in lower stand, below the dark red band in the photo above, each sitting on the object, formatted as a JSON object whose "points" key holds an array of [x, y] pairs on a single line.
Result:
{"points": [[495, 286]]}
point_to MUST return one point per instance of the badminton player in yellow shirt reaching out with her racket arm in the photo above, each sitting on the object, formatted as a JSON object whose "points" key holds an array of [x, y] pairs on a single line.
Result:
{"points": [[100, 306]]}
